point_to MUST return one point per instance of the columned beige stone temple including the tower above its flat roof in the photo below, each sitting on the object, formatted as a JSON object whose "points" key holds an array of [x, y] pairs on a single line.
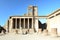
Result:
{"points": [[28, 22]]}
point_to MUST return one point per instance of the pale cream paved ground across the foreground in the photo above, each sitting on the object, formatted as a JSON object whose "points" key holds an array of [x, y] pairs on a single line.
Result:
{"points": [[34, 36]]}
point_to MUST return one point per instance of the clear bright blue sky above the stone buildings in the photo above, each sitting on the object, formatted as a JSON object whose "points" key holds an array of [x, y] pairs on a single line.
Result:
{"points": [[19, 7]]}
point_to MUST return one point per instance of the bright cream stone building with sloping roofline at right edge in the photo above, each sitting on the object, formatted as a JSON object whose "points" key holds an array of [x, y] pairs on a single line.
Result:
{"points": [[53, 22]]}
